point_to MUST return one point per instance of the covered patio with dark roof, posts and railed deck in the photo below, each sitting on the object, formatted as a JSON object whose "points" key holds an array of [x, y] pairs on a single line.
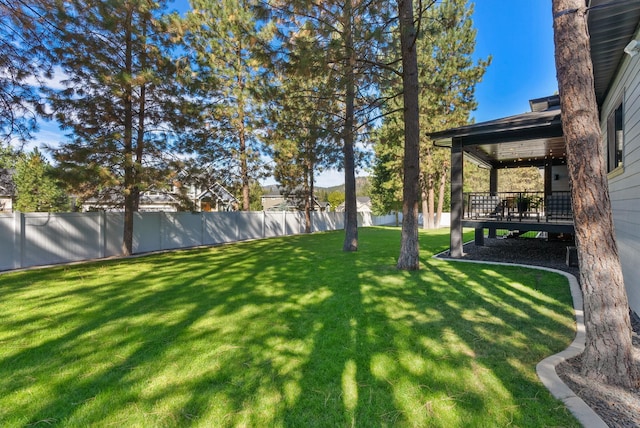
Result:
{"points": [[533, 139]]}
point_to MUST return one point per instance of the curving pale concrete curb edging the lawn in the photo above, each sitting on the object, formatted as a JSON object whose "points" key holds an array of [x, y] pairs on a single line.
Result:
{"points": [[546, 369]]}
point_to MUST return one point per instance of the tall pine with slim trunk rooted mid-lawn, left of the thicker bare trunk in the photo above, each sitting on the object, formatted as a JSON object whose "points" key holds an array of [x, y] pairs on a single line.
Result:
{"points": [[351, 38]]}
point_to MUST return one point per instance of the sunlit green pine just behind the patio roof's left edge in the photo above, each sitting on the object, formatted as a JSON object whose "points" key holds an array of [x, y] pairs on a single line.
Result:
{"points": [[447, 87]]}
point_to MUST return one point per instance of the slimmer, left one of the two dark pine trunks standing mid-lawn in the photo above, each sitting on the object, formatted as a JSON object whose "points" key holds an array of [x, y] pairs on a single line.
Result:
{"points": [[351, 214]]}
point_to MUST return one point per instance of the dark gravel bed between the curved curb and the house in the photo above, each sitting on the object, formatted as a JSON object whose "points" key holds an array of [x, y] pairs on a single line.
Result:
{"points": [[616, 406]]}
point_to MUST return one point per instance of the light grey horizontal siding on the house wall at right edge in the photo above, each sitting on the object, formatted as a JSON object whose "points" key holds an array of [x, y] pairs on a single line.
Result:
{"points": [[624, 184]]}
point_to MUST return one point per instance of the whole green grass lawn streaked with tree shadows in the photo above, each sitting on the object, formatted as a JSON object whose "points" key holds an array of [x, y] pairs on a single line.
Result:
{"points": [[282, 332]]}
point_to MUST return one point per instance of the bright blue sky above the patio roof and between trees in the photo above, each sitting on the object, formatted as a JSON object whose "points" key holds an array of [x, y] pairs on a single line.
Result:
{"points": [[518, 34]]}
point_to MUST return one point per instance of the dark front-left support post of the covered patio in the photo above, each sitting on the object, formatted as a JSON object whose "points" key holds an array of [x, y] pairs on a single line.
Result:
{"points": [[457, 197]]}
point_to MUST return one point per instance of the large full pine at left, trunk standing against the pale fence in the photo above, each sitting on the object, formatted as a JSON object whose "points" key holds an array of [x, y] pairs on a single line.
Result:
{"points": [[121, 101]]}
